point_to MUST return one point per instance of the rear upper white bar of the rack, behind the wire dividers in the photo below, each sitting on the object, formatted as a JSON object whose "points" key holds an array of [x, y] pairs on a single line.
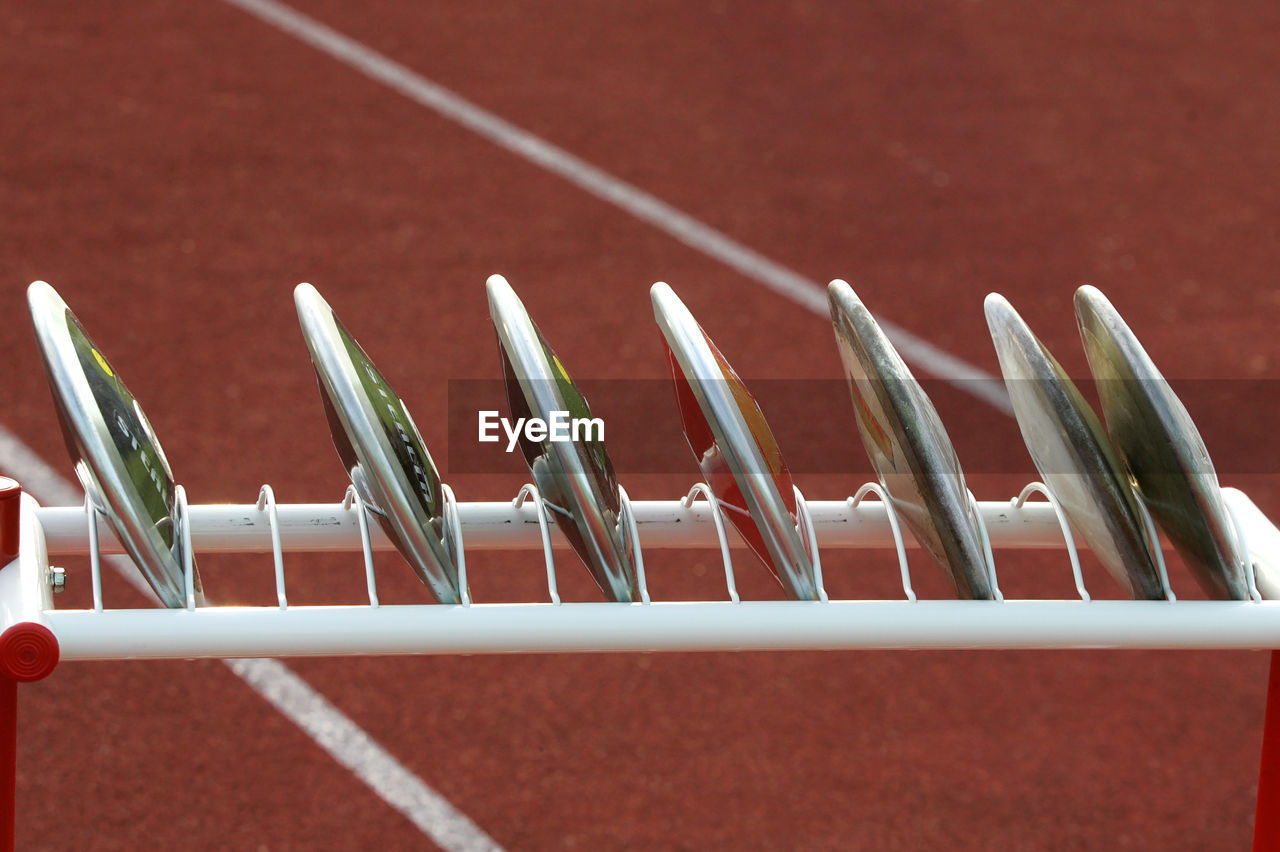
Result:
{"points": [[501, 526]]}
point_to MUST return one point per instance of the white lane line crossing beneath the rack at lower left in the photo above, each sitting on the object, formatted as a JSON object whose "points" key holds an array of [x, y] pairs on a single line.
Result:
{"points": [[336, 734]]}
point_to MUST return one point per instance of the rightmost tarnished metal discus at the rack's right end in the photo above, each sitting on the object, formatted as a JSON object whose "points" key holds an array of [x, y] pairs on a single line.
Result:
{"points": [[1162, 447]]}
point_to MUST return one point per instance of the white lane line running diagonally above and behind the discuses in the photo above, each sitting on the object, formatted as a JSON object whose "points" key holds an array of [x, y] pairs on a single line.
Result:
{"points": [[615, 191]]}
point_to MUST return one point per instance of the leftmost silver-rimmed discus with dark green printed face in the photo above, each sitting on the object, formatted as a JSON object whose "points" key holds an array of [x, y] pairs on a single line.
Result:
{"points": [[118, 459]]}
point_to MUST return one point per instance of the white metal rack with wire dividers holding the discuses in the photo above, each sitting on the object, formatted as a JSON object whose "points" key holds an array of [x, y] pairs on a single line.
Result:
{"points": [[371, 627]]}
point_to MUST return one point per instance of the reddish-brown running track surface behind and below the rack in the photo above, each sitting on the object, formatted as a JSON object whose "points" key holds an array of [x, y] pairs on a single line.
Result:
{"points": [[176, 170]]}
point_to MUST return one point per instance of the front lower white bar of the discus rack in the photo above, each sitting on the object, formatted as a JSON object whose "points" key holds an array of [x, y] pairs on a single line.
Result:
{"points": [[500, 629]]}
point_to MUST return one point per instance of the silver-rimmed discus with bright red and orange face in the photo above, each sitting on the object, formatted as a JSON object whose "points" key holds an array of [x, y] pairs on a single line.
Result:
{"points": [[734, 447]]}
